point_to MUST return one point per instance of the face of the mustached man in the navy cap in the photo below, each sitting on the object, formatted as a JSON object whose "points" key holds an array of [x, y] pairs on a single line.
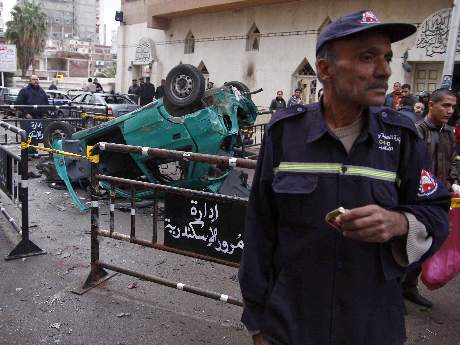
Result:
{"points": [[361, 68]]}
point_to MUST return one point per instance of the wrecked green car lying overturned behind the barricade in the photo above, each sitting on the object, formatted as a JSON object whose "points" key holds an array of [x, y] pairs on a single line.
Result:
{"points": [[189, 119]]}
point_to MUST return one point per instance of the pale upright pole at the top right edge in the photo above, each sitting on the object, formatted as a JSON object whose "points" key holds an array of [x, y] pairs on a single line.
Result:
{"points": [[448, 70]]}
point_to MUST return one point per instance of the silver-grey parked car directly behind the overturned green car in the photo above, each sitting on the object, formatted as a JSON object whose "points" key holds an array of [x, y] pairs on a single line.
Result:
{"points": [[105, 103]]}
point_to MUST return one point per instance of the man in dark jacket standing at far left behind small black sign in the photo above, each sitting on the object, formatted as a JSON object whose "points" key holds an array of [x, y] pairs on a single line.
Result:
{"points": [[33, 94]]}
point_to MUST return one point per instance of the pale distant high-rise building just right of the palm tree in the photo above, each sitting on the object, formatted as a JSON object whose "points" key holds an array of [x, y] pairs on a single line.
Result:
{"points": [[72, 19]]}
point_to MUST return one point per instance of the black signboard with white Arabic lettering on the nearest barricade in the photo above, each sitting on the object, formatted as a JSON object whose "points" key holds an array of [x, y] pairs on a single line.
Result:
{"points": [[208, 227]]}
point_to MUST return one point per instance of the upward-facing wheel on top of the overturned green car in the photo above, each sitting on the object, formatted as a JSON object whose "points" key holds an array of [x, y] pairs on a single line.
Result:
{"points": [[185, 86]]}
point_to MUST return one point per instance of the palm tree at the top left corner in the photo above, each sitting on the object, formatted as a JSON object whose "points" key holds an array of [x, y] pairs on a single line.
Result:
{"points": [[28, 30]]}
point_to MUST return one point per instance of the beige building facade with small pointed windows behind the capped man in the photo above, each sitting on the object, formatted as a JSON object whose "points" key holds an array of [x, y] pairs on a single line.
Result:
{"points": [[268, 43]]}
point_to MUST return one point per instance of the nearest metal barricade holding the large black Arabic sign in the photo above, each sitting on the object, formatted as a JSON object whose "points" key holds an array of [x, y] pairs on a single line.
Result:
{"points": [[179, 236]]}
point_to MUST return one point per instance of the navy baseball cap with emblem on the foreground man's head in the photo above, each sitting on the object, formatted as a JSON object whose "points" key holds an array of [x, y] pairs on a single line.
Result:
{"points": [[361, 21]]}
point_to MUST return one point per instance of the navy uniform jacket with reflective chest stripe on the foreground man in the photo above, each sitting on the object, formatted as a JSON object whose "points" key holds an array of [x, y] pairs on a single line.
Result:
{"points": [[302, 282]]}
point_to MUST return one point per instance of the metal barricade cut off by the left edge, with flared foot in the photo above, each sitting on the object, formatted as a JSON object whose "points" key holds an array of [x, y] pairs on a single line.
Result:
{"points": [[14, 176]]}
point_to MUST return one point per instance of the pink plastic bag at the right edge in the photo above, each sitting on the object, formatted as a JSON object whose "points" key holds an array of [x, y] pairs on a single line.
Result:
{"points": [[444, 265]]}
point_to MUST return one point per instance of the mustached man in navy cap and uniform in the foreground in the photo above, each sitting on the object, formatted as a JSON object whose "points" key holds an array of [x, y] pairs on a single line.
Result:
{"points": [[308, 282]]}
